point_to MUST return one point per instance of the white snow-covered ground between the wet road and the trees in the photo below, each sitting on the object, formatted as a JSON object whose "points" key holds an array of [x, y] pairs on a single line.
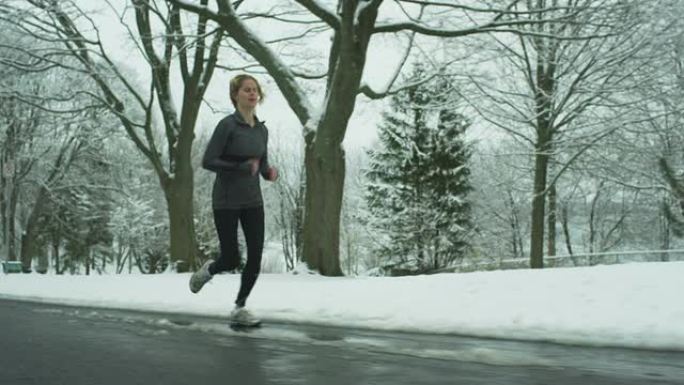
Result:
{"points": [[635, 305]]}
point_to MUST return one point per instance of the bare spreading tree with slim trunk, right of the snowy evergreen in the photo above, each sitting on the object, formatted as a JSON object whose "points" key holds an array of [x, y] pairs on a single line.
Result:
{"points": [[564, 90]]}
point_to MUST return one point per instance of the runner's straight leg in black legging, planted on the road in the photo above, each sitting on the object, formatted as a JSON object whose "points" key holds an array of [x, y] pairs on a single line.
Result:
{"points": [[252, 220]]}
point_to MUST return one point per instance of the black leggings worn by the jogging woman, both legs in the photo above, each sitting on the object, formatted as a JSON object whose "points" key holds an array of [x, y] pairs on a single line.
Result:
{"points": [[252, 221]]}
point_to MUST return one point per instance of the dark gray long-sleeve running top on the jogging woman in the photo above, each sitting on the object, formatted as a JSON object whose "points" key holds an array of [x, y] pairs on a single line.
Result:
{"points": [[233, 143]]}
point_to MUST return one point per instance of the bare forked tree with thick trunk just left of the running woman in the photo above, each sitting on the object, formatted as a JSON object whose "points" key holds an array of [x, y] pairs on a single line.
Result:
{"points": [[62, 22]]}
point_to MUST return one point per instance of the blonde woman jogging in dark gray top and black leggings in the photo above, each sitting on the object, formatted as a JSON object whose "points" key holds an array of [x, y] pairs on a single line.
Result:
{"points": [[237, 153]]}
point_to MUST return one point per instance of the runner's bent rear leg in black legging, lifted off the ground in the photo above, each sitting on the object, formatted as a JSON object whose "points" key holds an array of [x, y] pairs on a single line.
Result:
{"points": [[226, 221]]}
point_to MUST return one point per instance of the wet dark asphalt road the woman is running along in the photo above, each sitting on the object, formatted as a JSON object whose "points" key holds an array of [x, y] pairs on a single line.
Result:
{"points": [[48, 344]]}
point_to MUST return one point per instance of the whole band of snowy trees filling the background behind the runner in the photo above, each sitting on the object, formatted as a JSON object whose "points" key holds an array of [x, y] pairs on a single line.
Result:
{"points": [[571, 110]]}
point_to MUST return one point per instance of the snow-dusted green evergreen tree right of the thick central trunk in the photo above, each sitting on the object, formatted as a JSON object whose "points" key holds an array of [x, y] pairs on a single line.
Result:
{"points": [[419, 183]]}
